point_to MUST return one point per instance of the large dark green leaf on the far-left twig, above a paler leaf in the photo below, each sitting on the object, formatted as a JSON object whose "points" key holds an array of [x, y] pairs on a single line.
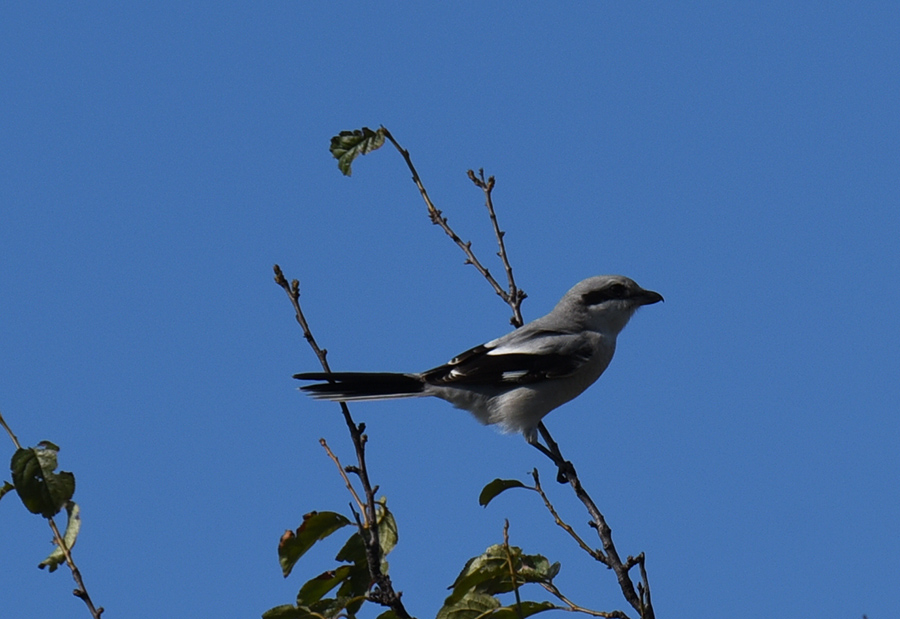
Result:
{"points": [[42, 490]]}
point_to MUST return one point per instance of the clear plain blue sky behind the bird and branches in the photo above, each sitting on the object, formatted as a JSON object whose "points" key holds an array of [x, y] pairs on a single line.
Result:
{"points": [[742, 160]]}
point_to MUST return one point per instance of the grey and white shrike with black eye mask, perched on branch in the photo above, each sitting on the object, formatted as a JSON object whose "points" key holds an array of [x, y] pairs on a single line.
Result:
{"points": [[515, 380]]}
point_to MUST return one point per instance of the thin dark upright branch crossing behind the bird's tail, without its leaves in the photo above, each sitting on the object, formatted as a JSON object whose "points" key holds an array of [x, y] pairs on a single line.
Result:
{"points": [[383, 591]]}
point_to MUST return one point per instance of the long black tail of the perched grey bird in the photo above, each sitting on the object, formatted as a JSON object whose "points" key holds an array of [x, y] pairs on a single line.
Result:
{"points": [[354, 386]]}
